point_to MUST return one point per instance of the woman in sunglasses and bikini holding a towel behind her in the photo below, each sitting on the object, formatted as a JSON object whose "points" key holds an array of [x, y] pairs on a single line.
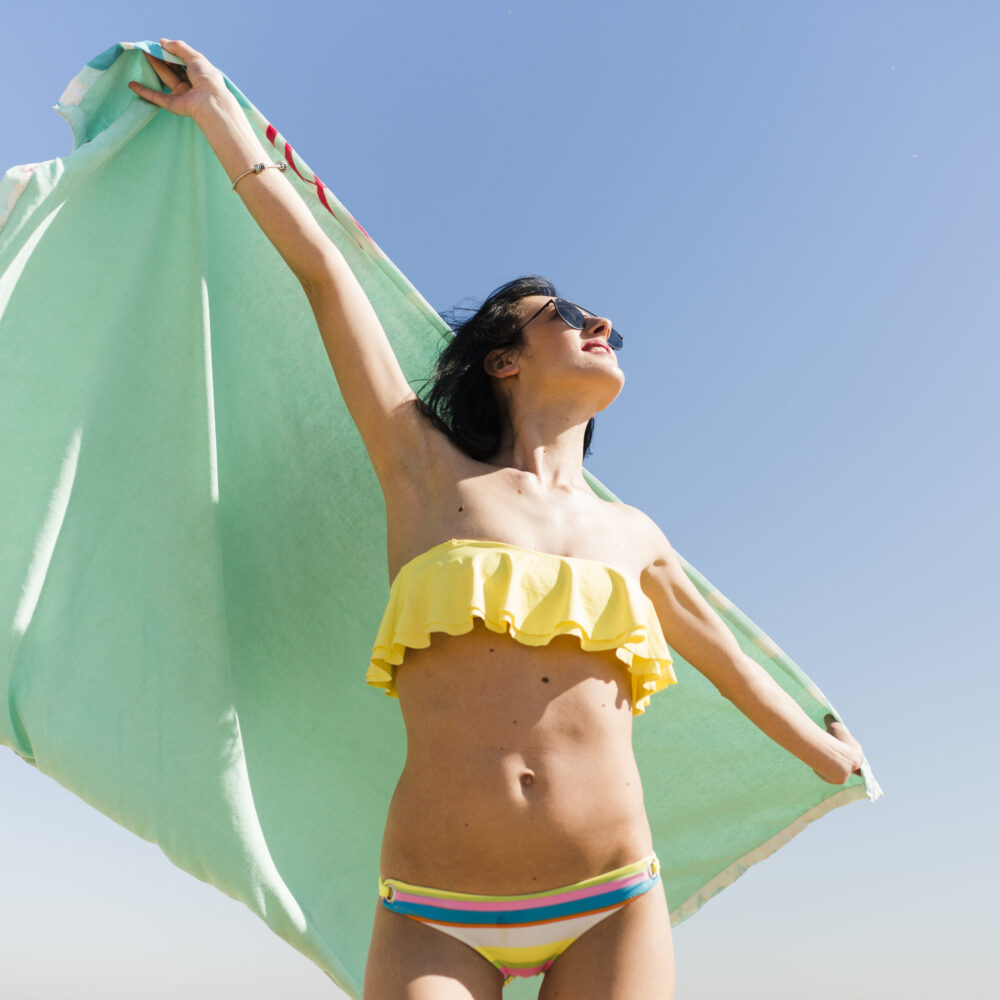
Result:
{"points": [[526, 626]]}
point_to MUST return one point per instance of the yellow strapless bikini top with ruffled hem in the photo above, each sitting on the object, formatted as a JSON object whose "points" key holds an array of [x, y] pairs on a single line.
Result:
{"points": [[534, 596]]}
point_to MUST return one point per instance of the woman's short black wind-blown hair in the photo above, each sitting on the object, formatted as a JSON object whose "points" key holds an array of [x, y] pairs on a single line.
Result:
{"points": [[462, 401]]}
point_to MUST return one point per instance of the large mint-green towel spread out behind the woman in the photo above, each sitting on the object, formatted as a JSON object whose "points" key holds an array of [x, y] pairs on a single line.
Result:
{"points": [[192, 552]]}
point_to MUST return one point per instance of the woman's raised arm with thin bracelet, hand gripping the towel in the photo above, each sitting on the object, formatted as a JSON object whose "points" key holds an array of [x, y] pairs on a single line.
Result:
{"points": [[368, 373]]}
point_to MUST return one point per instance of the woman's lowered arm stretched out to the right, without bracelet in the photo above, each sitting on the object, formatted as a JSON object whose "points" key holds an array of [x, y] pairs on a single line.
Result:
{"points": [[695, 631]]}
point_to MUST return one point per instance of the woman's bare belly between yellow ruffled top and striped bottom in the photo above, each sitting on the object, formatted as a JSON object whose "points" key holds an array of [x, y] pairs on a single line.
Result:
{"points": [[519, 774]]}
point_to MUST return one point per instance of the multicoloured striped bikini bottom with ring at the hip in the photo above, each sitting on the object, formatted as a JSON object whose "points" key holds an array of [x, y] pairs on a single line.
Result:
{"points": [[522, 935]]}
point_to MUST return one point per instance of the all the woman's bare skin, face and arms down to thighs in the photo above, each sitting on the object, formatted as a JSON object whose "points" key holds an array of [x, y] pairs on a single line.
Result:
{"points": [[519, 774]]}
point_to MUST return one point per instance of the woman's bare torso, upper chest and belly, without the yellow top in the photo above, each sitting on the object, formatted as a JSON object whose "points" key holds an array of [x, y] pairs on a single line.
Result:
{"points": [[519, 773]]}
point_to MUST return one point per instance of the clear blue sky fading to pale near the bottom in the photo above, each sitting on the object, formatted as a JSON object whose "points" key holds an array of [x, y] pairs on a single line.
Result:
{"points": [[791, 211]]}
